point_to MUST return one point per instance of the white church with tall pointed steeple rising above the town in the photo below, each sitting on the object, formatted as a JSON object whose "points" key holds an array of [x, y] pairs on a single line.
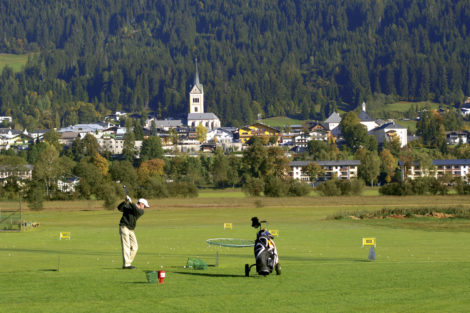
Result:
{"points": [[196, 115]]}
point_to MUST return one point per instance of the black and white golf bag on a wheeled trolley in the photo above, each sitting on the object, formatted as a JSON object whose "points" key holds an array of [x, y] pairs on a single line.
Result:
{"points": [[265, 251]]}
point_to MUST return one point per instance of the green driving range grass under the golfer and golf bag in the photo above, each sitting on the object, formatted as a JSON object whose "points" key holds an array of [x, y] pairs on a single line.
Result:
{"points": [[421, 266]]}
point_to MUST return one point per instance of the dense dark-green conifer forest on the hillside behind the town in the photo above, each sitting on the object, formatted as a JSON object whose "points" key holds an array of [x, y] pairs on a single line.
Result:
{"points": [[298, 58]]}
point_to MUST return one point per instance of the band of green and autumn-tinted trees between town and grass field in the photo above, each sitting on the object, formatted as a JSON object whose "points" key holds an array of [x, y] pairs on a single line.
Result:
{"points": [[261, 169]]}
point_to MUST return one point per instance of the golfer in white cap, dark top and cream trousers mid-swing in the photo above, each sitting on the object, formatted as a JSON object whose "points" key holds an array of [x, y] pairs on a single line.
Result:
{"points": [[130, 214]]}
